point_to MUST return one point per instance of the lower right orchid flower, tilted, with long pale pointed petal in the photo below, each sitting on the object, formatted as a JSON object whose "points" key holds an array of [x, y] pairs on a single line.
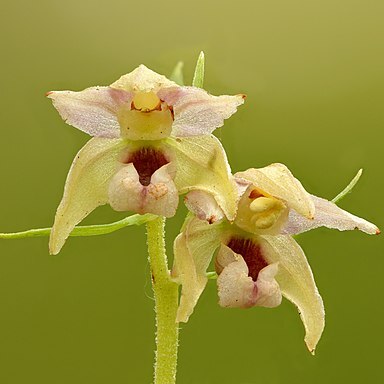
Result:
{"points": [[258, 261]]}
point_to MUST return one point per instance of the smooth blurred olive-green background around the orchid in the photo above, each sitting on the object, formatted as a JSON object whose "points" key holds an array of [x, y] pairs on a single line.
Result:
{"points": [[313, 73]]}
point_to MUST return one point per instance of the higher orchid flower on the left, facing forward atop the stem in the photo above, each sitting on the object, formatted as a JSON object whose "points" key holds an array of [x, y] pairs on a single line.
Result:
{"points": [[152, 141]]}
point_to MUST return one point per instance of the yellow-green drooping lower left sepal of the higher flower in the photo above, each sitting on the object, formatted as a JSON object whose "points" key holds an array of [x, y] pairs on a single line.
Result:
{"points": [[86, 187]]}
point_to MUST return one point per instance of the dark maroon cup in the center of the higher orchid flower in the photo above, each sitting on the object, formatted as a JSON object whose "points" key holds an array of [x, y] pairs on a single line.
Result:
{"points": [[146, 162]]}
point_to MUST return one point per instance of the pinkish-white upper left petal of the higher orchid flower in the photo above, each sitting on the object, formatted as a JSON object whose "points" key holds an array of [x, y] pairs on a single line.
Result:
{"points": [[93, 110]]}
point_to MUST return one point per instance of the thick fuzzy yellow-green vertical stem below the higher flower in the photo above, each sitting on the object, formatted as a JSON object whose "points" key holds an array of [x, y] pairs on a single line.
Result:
{"points": [[166, 302]]}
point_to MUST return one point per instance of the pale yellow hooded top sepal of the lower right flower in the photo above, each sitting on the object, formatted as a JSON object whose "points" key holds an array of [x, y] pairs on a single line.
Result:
{"points": [[278, 181]]}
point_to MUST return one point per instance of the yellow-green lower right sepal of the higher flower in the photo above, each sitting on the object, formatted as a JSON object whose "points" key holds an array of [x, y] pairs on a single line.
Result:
{"points": [[202, 165]]}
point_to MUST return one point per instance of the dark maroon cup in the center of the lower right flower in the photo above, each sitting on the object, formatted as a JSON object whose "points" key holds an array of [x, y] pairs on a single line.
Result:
{"points": [[251, 254]]}
